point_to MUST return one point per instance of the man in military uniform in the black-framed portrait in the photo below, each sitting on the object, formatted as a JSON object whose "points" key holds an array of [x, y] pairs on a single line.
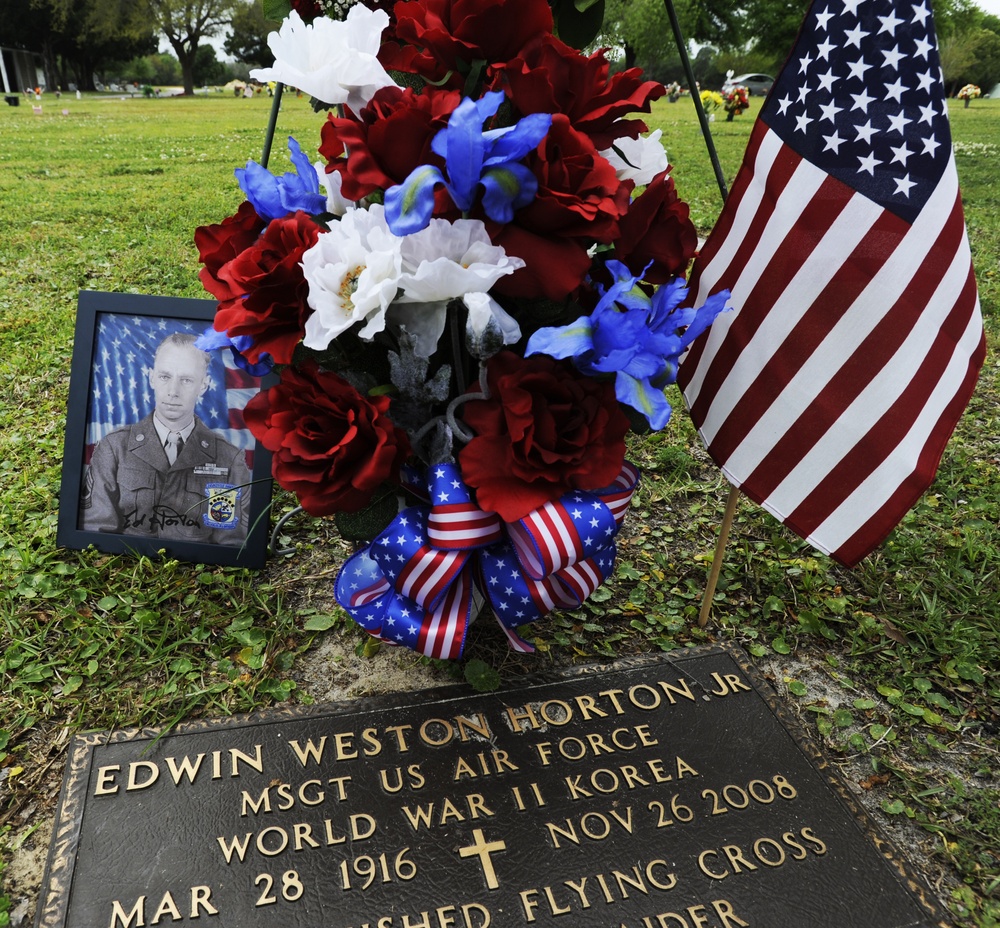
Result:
{"points": [[169, 475]]}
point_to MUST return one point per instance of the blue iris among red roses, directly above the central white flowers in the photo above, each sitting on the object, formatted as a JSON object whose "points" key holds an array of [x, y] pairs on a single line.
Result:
{"points": [[473, 158]]}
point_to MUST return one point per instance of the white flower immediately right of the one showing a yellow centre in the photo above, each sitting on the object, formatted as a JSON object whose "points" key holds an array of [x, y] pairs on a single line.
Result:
{"points": [[448, 261]]}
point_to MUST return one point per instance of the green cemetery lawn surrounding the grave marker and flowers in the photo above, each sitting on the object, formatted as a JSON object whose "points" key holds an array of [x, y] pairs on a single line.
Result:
{"points": [[894, 667]]}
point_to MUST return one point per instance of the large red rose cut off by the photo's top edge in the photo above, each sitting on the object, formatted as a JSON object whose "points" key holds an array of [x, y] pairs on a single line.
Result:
{"points": [[454, 33]]}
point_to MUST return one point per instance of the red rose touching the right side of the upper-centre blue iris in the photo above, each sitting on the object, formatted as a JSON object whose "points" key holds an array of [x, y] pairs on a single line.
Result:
{"points": [[579, 201]]}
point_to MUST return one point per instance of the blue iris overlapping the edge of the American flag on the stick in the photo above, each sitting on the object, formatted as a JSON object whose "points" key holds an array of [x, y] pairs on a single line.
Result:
{"points": [[637, 338]]}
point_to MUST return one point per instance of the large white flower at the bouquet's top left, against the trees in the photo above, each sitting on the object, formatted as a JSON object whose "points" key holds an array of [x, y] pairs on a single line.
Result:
{"points": [[333, 61]]}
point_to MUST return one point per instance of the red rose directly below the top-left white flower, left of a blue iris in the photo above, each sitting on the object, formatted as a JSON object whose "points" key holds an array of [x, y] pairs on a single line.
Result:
{"points": [[391, 137]]}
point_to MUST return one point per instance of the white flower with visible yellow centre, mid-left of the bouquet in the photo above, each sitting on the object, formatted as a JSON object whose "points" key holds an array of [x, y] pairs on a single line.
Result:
{"points": [[353, 272]]}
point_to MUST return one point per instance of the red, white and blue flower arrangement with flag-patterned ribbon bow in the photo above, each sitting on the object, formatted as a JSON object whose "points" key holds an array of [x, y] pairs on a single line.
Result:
{"points": [[469, 301]]}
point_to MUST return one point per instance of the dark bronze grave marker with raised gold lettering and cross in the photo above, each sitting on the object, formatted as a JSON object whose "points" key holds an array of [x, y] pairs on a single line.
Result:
{"points": [[660, 793]]}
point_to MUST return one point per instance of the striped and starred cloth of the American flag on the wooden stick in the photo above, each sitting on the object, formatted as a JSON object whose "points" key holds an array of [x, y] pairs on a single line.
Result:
{"points": [[829, 394]]}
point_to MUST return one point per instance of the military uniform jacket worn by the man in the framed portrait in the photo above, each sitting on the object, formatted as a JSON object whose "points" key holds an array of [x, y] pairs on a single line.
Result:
{"points": [[131, 489]]}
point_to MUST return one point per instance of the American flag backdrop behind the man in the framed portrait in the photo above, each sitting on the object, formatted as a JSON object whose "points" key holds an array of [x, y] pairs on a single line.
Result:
{"points": [[120, 393]]}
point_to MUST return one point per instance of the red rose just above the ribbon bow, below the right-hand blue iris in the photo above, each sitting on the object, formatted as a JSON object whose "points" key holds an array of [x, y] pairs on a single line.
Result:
{"points": [[545, 430]]}
